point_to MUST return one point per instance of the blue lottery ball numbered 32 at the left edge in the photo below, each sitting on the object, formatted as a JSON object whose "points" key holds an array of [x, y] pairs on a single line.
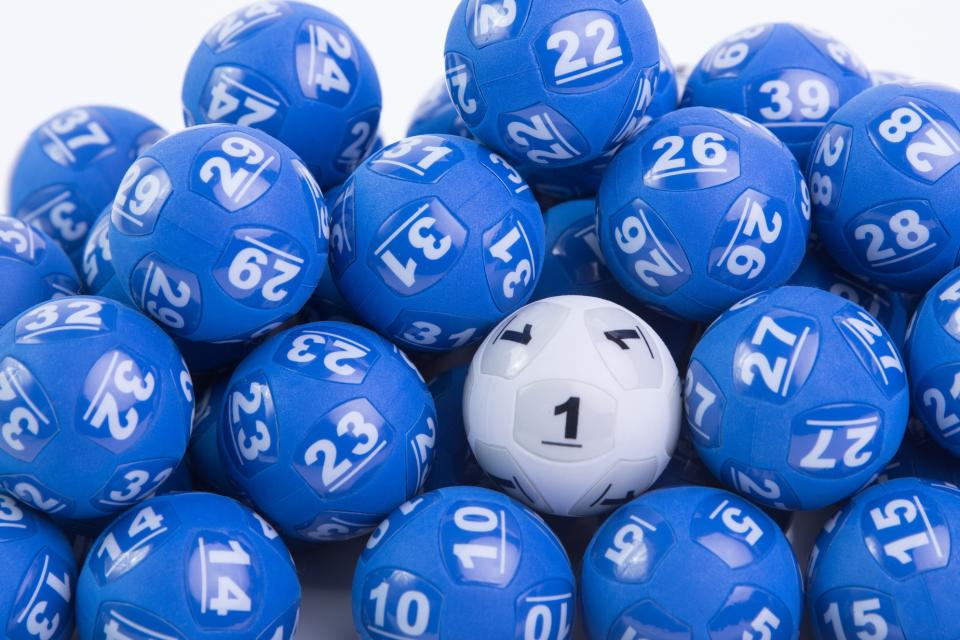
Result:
{"points": [[95, 404]]}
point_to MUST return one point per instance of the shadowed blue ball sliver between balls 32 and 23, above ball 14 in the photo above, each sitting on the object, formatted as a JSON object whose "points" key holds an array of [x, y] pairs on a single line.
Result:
{"points": [[204, 451]]}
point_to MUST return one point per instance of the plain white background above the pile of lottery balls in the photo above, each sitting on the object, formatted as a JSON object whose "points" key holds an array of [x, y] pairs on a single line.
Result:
{"points": [[132, 53]]}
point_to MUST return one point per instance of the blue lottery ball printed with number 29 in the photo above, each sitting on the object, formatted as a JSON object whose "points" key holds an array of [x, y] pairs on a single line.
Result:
{"points": [[218, 233]]}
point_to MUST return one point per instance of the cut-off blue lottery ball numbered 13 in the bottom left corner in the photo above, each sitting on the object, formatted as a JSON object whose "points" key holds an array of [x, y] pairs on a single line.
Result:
{"points": [[39, 576]]}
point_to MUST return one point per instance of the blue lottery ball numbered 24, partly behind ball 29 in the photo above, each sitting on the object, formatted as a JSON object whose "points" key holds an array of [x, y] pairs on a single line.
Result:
{"points": [[297, 73]]}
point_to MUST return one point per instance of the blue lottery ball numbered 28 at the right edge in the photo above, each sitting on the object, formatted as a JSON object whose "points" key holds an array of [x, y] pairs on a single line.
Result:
{"points": [[884, 185]]}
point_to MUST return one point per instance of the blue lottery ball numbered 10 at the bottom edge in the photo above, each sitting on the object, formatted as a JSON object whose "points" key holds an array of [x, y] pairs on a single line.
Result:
{"points": [[496, 567]]}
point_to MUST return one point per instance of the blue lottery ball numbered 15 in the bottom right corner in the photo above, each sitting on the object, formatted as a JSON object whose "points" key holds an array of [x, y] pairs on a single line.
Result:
{"points": [[886, 566]]}
